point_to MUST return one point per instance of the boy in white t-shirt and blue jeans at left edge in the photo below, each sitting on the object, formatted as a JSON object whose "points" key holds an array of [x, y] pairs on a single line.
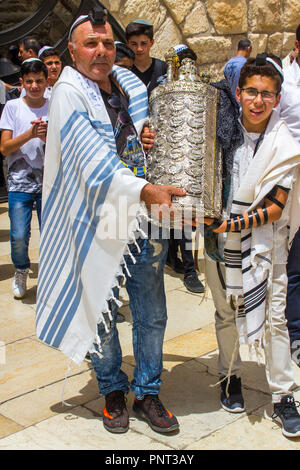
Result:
{"points": [[23, 124]]}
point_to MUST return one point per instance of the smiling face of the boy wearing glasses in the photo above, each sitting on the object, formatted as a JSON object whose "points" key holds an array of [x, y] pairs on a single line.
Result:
{"points": [[256, 111]]}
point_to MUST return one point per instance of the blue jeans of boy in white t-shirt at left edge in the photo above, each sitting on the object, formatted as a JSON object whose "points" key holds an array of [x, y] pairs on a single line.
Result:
{"points": [[20, 213]]}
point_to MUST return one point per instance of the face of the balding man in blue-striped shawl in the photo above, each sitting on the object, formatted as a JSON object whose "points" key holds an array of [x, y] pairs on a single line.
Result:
{"points": [[93, 50]]}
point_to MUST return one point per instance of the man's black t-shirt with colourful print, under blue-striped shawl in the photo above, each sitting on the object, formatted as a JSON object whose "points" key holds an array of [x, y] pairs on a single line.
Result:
{"points": [[129, 148]]}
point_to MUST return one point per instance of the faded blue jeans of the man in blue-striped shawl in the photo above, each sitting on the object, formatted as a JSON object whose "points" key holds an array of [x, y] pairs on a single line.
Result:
{"points": [[147, 298]]}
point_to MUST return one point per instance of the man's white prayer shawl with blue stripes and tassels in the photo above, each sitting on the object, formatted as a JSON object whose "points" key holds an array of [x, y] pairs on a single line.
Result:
{"points": [[84, 182]]}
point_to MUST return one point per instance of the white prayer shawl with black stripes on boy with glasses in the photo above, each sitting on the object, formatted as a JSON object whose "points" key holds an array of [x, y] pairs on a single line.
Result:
{"points": [[249, 254]]}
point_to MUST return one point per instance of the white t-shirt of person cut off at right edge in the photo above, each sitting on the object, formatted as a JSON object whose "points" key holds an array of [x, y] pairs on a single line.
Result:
{"points": [[290, 99]]}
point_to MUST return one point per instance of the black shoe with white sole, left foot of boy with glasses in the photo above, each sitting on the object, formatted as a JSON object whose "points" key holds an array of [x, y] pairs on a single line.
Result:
{"points": [[234, 402]]}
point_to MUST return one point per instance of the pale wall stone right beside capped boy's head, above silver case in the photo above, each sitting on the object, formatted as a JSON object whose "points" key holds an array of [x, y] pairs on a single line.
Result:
{"points": [[167, 36]]}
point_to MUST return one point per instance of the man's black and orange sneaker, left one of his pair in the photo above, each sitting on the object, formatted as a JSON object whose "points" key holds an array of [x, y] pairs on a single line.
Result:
{"points": [[115, 414]]}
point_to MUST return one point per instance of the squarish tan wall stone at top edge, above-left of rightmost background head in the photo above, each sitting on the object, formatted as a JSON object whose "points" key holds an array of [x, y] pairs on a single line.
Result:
{"points": [[229, 16]]}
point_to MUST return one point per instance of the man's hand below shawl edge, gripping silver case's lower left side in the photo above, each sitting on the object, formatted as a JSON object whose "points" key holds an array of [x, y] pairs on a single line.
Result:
{"points": [[158, 199]]}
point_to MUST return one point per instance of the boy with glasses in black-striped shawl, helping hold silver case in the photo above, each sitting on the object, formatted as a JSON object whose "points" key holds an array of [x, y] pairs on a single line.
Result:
{"points": [[249, 292]]}
